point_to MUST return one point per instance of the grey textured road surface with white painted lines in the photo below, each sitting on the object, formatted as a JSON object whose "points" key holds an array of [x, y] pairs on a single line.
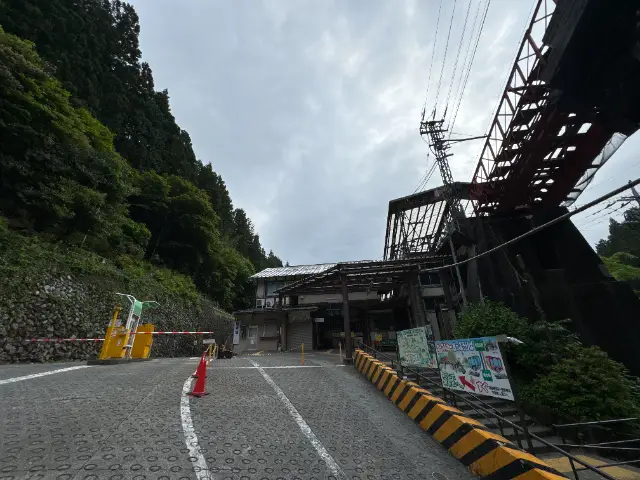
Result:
{"points": [[260, 421]]}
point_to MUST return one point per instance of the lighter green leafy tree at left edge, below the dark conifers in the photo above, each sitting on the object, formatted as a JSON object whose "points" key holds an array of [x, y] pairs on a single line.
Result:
{"points": [[58, 169]]}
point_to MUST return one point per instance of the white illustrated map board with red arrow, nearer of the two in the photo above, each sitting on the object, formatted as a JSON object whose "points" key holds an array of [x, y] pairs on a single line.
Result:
{"points": [[474, 365]]}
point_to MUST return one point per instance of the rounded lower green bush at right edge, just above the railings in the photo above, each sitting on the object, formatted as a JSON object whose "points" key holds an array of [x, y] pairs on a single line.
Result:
{"points": [[585, 386]]}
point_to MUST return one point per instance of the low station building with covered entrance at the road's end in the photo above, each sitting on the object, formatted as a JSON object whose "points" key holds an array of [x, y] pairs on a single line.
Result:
{"points": [[305, 304]]}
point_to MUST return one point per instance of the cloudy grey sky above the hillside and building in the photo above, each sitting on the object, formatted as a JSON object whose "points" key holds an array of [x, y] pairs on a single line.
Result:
{"points": [[310, 109]]}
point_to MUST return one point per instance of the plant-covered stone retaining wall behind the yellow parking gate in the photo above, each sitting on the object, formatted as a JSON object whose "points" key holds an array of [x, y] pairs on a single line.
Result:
{"points": [[61, 305]]}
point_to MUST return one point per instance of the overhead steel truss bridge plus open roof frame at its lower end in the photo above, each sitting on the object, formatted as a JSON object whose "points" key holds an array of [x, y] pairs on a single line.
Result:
{"points": [[571, 100]]}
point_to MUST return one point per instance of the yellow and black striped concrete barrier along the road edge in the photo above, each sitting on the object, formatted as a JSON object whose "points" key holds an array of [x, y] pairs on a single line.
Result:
{"points": [[485, 453]]}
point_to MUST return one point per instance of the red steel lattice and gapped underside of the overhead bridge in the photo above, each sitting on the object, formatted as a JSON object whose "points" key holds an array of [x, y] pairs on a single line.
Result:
{"points": [[537, 152]]}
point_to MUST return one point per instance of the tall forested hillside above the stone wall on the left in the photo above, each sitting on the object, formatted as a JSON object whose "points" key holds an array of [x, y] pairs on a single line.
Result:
{"points": [[91, 156]]}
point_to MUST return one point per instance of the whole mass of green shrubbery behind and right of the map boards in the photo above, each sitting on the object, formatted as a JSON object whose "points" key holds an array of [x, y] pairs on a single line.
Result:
{"points": [[552, 370]]}
